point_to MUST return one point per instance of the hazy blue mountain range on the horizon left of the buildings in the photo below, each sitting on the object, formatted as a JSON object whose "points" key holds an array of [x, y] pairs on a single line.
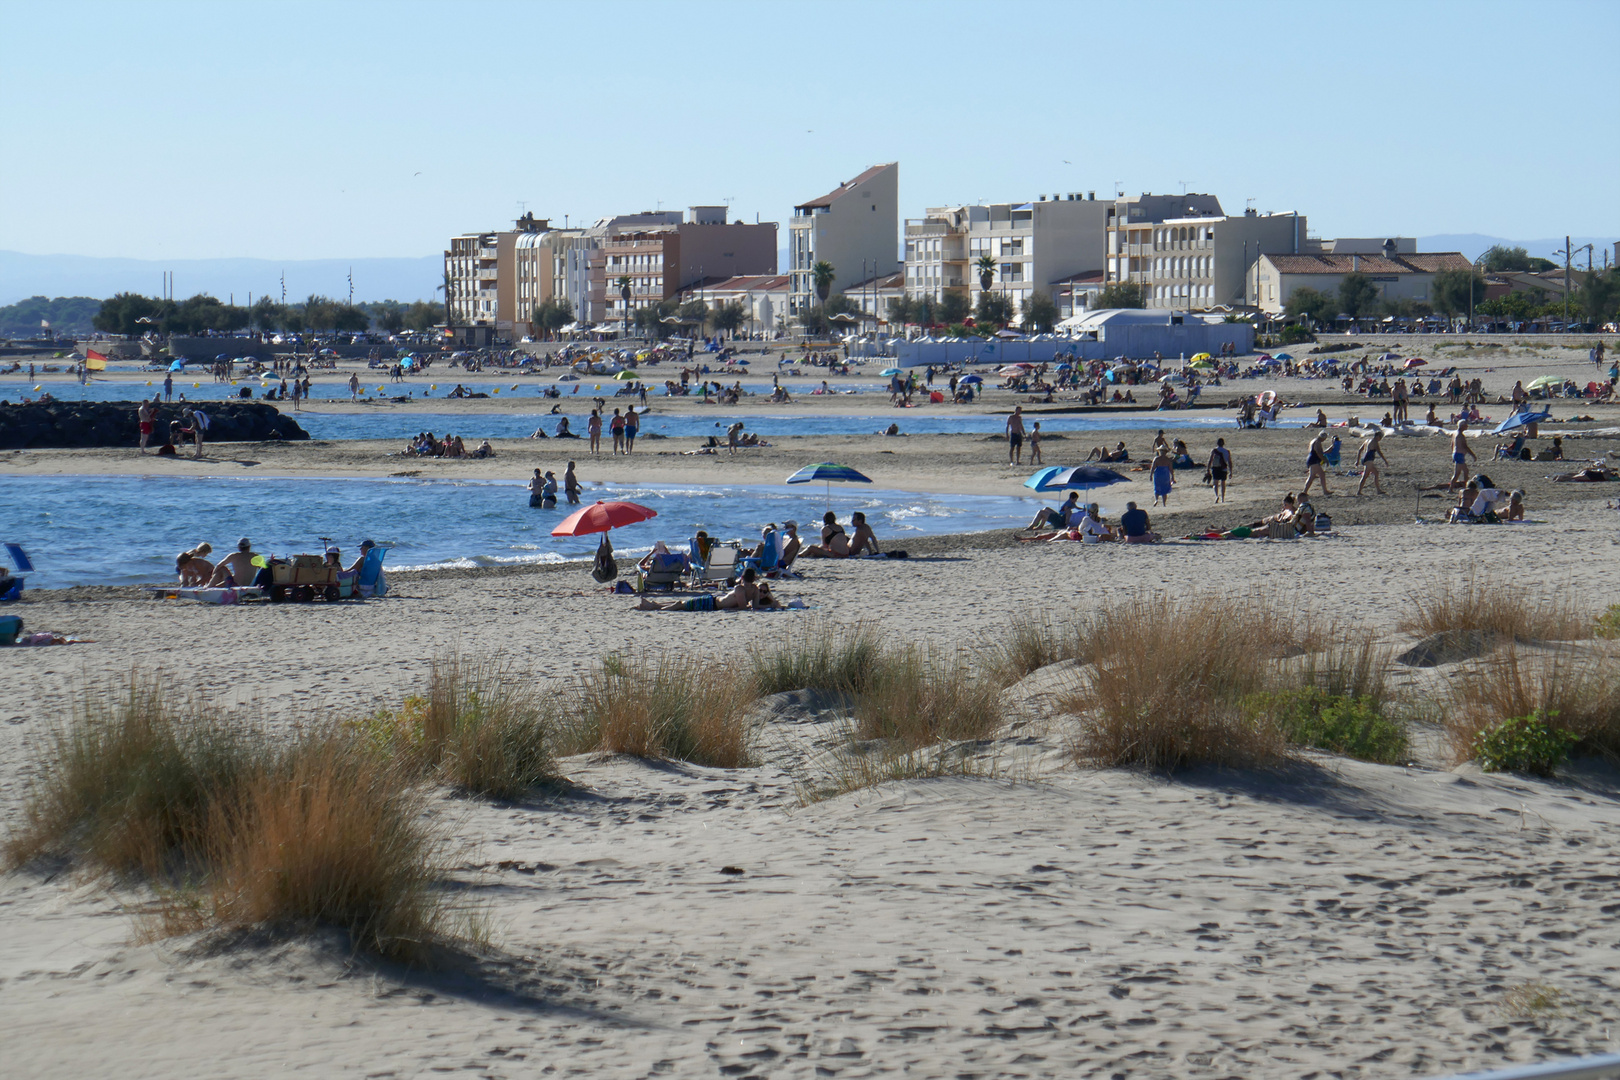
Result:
{"points": [[25, 276]]}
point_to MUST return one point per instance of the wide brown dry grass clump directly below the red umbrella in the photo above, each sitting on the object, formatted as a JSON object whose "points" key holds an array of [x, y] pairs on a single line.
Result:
{"points": [[663, 705]]}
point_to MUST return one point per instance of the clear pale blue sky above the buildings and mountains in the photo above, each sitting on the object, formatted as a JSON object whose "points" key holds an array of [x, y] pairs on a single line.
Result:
{"points": [[349, 130]]}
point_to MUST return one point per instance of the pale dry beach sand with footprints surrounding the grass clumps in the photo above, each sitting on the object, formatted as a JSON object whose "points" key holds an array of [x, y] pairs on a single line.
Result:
{"points": [[1328, 919]]}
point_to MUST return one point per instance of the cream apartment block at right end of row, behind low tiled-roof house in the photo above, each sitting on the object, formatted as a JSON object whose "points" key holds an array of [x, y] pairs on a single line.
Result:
{"points": [[1188, 255]]}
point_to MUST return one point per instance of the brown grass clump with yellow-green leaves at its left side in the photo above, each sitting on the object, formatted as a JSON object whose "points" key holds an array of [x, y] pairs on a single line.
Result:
{"points": [[484, 728]]}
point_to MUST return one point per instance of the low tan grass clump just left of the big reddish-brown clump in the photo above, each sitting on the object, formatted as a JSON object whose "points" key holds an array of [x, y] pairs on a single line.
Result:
{"points": [[923, 695]]}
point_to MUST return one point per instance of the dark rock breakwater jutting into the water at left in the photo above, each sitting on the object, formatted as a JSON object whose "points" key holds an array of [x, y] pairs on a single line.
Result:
{"points": [[77, 425]]}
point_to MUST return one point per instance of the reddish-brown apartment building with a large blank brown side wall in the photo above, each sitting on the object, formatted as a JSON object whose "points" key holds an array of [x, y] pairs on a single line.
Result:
{"points": [[663, 260]]}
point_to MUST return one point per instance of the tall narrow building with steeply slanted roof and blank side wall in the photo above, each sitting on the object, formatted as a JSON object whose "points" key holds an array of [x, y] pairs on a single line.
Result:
{"points": [[851, 227]]}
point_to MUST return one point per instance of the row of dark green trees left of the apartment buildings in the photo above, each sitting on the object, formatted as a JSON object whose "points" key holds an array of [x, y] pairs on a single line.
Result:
{"points": [[134, 315]]}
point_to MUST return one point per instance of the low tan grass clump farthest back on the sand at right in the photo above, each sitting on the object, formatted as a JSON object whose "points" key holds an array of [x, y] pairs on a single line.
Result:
{"points": [[1481, 603]]}
